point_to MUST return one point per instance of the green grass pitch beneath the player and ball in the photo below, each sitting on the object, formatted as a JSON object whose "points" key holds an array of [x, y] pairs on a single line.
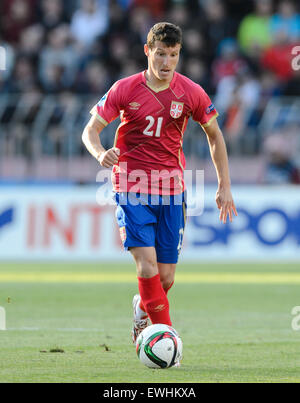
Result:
{"points": [[234, 320]]}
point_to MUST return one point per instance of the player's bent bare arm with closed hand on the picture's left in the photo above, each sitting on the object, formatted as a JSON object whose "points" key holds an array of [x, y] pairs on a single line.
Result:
{"points": [[91, 139]]}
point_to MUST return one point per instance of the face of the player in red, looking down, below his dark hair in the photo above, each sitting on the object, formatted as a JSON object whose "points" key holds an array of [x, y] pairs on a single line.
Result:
{"points": [[162, 61]]}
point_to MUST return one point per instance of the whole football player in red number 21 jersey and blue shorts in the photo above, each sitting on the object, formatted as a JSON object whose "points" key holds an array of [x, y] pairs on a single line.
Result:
{"points": [[148, 165]]}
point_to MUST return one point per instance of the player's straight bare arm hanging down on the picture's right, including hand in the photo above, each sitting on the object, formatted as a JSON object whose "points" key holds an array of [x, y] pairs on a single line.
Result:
{"points": [[219, 157]]}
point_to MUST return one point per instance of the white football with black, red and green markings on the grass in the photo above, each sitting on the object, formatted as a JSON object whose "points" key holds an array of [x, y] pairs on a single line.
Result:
{"points": [[159, 346]]}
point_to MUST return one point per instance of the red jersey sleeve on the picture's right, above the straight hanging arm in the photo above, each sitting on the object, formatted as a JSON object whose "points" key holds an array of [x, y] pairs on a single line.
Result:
{"points": [[204, 111]]}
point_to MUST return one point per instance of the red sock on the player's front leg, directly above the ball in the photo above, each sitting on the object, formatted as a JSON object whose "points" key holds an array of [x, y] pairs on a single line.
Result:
{"points": [[154, 299]]}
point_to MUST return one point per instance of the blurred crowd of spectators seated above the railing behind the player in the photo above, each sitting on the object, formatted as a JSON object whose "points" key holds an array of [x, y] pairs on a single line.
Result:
{"points": [[239, 51]]}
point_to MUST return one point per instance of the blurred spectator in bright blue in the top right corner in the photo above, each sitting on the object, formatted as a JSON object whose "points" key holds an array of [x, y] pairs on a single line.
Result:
{"points": [[286, 21]]}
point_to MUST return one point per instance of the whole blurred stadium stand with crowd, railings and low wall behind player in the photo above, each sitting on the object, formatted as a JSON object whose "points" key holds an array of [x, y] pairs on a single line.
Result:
{"points": [[62, 56]]}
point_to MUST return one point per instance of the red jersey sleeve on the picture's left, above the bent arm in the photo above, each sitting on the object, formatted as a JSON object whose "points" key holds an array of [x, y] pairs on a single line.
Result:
{"points": [[109, 106]]}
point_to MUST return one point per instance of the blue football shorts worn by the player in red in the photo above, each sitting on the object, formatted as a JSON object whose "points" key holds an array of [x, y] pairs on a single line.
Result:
{"points": [[152, 220]]}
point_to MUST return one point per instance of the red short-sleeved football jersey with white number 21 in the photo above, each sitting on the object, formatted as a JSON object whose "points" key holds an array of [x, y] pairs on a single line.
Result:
{"points": [[151, 132]]}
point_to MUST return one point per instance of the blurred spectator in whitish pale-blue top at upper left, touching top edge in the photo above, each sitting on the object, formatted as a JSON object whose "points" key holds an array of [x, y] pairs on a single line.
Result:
{"points": [[90, 21]]}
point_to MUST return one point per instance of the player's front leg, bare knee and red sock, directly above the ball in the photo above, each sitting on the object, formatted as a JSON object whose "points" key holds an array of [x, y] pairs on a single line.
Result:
{"points": [[153, 296]]}
